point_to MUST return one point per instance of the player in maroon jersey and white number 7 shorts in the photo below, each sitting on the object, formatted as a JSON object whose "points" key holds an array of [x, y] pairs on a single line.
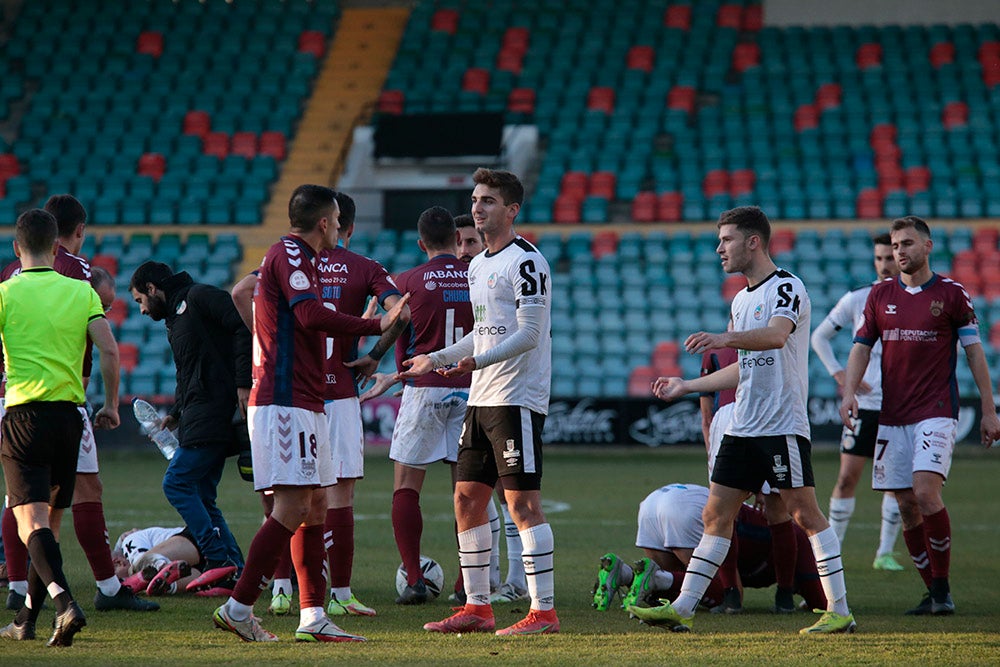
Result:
{"points": [[920, 317]]}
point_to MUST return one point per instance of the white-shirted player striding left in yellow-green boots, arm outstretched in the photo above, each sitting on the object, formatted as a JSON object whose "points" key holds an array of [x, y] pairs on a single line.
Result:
{"points": [[768, 438]]}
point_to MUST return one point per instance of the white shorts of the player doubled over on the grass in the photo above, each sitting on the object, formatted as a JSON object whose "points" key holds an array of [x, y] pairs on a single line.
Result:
{"points": [[670, 518]]}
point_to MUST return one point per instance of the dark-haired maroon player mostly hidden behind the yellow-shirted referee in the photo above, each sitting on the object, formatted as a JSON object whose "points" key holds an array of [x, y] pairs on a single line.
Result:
{"points": [[88, 509]]}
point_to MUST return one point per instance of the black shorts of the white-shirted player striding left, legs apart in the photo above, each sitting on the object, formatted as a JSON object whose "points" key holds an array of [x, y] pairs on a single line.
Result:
{"points": [[783, 461]]}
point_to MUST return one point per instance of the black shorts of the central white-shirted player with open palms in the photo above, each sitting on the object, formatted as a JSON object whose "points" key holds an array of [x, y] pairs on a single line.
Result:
{"points": [[502, 442]]}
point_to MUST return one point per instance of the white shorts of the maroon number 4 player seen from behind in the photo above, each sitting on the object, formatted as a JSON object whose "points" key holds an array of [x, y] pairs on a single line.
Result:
{"points": [[428, 425]]}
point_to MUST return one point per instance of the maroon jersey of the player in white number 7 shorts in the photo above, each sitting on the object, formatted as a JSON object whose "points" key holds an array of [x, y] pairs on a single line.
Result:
{"points": [[920, 329]]}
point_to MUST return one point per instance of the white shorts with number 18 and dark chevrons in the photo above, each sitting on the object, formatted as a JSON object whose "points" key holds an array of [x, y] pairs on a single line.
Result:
{"points": [[290, 446]]}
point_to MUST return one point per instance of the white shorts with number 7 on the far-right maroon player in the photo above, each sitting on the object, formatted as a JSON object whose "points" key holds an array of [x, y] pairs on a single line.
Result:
{"points": [[901, 451]]}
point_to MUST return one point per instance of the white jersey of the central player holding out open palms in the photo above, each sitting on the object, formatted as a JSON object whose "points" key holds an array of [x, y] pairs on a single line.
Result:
{"points": [[499, 284]]}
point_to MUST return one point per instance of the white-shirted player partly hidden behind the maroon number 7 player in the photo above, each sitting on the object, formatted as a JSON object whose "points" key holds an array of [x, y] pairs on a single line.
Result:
{"points": [[858, 443]]}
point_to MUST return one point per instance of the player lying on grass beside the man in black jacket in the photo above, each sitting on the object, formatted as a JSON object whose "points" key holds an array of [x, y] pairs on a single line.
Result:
{"points": [[163, 561]]}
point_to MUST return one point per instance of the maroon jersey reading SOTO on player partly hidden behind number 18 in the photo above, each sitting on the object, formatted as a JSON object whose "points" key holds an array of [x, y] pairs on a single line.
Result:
{"points": [[346, 280]]}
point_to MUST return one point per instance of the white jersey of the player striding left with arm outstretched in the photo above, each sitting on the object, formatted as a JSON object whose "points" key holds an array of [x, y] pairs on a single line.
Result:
{"points": [[774, 384]]}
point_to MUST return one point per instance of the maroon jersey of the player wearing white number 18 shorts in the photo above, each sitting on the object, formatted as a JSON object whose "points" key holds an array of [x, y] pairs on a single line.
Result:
{"points": [[287, 358]]}
